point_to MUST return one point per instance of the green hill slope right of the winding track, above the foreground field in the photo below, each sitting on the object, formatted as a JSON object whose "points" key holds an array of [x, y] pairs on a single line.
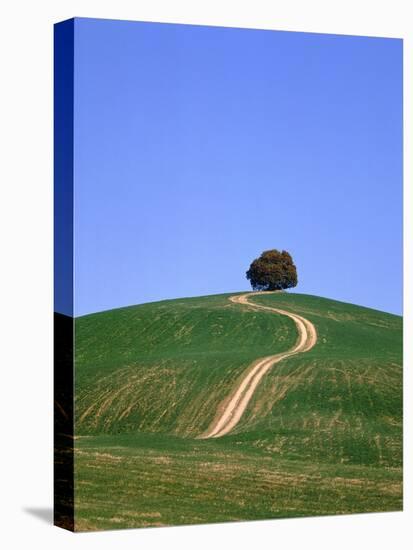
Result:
{"points": [[343, 398]]}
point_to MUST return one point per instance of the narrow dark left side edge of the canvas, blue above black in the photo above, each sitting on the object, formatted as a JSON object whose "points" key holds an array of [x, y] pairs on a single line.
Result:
{"points": [[63, 276]]}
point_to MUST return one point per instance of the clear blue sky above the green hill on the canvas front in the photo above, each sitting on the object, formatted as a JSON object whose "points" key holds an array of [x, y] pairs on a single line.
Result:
{"points": [[196, 148]]}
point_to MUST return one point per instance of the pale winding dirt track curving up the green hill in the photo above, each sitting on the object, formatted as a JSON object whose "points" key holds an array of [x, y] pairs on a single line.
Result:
{"points": [[237, 403]]}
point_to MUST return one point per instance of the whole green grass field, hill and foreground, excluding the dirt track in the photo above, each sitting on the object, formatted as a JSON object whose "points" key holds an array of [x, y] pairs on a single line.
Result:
{"points": [[321, 435]]}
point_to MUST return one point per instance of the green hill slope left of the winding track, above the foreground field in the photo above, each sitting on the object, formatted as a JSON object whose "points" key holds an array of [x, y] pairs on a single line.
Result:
{"points": [[164, 367]]}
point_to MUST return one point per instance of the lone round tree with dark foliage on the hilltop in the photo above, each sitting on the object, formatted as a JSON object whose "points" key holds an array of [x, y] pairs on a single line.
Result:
{"points": [[273, 270]]}
